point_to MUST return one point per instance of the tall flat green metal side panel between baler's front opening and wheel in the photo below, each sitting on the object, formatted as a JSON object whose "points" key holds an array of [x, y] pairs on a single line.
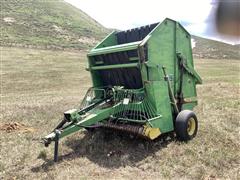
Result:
{"points": [[161, 53]]}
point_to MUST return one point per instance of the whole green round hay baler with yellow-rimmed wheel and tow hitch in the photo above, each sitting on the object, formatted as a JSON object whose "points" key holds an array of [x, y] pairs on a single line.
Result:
{"points": [[144, 83]]}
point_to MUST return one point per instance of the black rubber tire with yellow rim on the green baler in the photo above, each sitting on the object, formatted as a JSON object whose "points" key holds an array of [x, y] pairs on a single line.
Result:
{"points": [[182, 125]]}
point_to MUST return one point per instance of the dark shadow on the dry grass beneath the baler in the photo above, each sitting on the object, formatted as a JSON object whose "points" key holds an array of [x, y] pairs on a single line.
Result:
{"points": [[109, 149]]}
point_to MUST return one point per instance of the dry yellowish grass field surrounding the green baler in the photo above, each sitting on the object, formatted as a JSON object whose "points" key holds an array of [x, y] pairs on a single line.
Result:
{"points": [[37, 86]]}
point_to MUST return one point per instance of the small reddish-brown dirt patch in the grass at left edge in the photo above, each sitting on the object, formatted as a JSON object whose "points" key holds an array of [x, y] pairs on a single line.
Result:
{"points": [[15, 126]]}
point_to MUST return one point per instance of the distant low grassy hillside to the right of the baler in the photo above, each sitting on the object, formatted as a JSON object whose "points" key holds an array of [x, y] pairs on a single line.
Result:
{"points": [[206, 48]]}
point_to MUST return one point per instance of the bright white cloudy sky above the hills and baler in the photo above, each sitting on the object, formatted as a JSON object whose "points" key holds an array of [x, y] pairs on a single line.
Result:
{"points": [[194, 15]]}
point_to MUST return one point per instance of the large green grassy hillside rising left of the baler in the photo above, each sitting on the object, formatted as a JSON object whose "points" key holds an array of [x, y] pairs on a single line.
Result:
{"points": [[47, 24]]}
